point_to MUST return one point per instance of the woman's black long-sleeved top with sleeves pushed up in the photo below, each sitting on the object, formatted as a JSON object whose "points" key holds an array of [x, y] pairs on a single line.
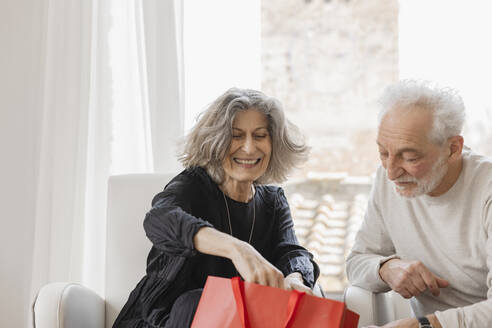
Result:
{"points": [[192, 201]]}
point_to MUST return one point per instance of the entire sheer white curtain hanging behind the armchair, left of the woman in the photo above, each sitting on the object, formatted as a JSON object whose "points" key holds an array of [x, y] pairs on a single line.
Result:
{"points": [[113, 102]]}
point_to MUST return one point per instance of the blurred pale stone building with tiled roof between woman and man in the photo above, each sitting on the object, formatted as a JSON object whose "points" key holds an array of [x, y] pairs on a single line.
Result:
{"points": [[328, 61]]}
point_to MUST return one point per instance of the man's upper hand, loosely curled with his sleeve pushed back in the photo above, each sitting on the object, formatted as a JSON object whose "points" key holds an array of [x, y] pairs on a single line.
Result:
{"points": [[410, 278]]}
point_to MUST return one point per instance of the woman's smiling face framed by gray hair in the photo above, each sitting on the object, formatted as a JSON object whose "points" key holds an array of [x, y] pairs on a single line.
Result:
{"points": [[251, 147]]}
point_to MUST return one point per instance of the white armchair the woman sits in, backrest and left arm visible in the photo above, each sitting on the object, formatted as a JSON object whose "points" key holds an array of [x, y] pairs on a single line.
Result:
{"points": [[69, 305]]}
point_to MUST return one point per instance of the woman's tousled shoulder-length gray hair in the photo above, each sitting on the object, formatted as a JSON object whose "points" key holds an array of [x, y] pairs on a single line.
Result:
{"points": [[208, 142]]}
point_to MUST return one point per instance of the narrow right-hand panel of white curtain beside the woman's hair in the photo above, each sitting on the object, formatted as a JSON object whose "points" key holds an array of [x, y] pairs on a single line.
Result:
{"points": [[163, 22]]}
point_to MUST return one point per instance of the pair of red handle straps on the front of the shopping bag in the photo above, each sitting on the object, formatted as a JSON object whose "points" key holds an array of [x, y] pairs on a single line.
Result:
{"points": [[238, 290]]}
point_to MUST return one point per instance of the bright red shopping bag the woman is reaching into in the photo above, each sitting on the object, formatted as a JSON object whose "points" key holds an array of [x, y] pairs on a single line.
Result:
{"points": [[232, 303]]}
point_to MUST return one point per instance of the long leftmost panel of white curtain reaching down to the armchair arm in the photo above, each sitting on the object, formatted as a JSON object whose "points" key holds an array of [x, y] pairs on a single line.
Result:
{"points": [[63, 149]]}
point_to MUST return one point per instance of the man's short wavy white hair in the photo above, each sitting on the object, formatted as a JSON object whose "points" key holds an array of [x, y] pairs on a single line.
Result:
{"points": [[445, 104]]}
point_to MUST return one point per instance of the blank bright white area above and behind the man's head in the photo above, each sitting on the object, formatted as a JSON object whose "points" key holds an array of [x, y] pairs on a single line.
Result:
{"points": [[450, 42]]}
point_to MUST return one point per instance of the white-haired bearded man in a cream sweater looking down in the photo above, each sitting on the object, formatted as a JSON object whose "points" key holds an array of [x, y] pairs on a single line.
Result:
{"points": [[427, 233]]}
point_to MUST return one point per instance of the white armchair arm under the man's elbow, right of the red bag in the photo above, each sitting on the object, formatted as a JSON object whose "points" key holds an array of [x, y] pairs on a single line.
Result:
{"points": [[377, 309]]}
